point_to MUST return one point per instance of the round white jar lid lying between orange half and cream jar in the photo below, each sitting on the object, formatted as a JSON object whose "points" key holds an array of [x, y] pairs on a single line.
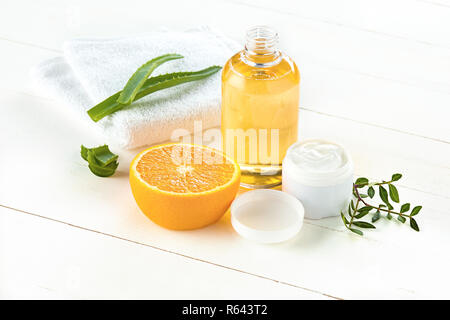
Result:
{"points": [[267, 216]]}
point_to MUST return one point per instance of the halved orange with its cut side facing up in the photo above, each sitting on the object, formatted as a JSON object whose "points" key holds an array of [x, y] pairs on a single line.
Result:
{"points": [[183, 186]]}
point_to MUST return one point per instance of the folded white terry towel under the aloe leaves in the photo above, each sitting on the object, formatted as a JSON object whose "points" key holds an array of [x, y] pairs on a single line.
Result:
{"points": [[93, 69]]}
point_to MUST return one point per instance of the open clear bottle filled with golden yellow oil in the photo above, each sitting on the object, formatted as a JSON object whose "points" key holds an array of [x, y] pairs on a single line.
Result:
{"points": [[260, 101]]}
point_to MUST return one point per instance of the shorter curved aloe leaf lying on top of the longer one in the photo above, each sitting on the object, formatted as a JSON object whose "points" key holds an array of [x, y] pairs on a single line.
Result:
{"points": [[138, 78]]}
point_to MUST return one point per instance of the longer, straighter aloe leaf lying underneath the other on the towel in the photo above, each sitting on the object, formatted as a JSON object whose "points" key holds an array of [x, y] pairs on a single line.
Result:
{"points": [[110, 105]]}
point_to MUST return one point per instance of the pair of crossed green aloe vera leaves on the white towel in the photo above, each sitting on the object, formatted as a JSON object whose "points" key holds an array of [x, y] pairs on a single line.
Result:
{"points": [[138, 86]]}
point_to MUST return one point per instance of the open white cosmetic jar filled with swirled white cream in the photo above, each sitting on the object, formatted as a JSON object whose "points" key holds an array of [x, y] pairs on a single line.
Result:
{"points": [[320, 174]]}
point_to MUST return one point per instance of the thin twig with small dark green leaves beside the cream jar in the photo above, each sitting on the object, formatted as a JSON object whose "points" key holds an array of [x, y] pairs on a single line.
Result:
{"points": [[359, 206]]}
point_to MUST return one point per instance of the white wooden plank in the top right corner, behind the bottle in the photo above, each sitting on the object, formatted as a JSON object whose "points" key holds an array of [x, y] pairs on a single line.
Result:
{"points": [[425, 22]]}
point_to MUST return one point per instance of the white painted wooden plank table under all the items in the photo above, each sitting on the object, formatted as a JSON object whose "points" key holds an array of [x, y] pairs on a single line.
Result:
{"points": [[375, 77]]}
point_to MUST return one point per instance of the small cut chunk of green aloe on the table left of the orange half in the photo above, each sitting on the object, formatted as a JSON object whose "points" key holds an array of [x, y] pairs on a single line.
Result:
{"points": [[101, 161]]}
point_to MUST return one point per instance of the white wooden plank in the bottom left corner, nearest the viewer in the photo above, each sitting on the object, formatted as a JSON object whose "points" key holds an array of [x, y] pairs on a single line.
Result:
{"points": [[72, 263]]}
